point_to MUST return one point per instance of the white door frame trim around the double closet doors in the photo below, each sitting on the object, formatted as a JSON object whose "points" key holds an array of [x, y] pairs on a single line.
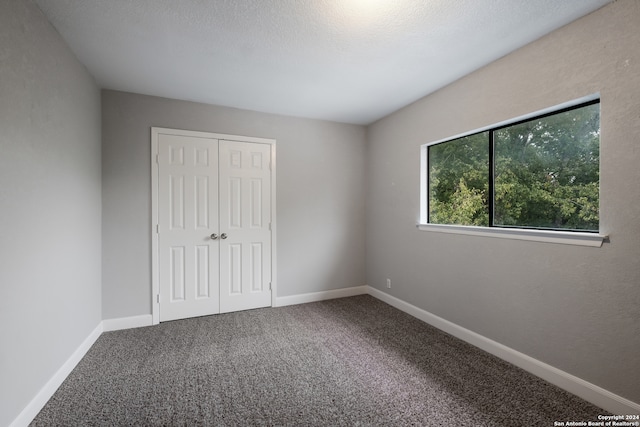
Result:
{"points": [[155, 269]]}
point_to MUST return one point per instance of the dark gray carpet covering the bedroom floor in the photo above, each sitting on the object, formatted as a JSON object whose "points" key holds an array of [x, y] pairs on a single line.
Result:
{"points": [[345, 362]]}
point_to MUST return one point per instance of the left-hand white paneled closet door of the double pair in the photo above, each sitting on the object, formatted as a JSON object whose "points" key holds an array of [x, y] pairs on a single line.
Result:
{"points": [[187, 218]]}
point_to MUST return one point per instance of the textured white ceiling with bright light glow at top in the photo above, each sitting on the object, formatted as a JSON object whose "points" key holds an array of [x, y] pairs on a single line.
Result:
{"points": [[351, 61]]}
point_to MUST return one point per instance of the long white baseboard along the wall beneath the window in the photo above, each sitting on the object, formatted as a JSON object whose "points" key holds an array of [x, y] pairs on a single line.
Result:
{"points": [[574, 385]]}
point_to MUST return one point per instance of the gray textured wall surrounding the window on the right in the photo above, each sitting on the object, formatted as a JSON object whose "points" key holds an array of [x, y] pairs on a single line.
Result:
{"points": [[575, 308]]}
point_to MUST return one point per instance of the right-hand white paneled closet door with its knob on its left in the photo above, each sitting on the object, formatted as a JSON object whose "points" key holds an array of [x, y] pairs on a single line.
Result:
{"points": [[245, 225]]}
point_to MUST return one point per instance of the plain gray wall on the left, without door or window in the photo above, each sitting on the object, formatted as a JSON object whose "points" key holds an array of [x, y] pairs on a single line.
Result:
{"points": [[50, 204]]}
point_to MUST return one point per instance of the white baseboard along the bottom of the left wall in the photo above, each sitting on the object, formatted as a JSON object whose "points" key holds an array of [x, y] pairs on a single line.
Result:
{"points": [[37, 403]]}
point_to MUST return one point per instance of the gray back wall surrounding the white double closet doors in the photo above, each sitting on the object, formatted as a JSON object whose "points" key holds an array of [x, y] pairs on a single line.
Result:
{"points": [[320, 197]]}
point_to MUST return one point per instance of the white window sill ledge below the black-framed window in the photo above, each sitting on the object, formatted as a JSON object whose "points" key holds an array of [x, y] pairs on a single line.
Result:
{"points": [[559, 237]]}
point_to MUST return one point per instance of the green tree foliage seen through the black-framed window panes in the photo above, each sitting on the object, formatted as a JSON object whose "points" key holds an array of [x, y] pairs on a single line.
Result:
{"points": [[540, 173]]}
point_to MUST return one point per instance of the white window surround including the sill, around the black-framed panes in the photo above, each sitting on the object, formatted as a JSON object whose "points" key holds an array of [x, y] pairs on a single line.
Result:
{"points": [[547, 236]]}
